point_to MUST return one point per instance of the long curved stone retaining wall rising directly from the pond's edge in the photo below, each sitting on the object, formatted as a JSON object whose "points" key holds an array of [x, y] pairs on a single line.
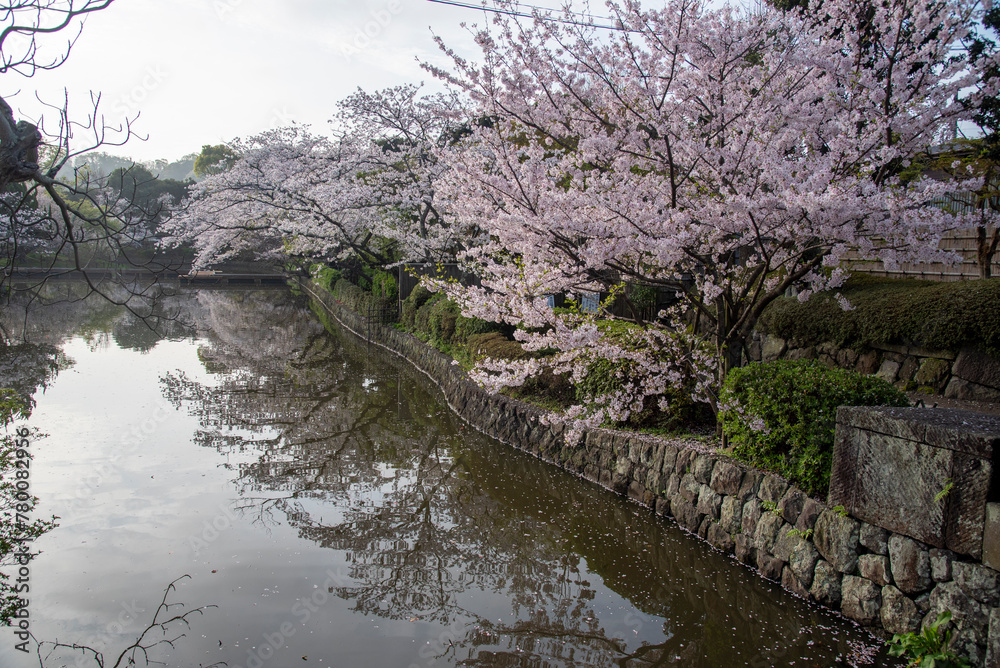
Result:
{"points": [[885, 581]]}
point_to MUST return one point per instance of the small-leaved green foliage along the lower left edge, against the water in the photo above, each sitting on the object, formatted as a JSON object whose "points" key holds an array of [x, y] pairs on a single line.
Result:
{"points": [[15, 527]]}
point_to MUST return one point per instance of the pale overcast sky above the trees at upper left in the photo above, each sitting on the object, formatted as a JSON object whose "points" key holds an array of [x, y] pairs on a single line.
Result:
{"points": [[206, 71]]}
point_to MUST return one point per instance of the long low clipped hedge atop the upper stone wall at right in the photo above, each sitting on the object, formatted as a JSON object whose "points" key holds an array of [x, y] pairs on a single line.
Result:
{"points": [[941, 316]]}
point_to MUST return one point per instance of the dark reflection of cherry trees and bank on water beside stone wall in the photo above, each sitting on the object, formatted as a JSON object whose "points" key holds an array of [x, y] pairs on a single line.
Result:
{"points": [[442, 525]]}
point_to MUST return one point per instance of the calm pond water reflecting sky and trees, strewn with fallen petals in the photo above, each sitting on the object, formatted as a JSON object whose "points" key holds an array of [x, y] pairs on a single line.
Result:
{"points": [[323, 497]]}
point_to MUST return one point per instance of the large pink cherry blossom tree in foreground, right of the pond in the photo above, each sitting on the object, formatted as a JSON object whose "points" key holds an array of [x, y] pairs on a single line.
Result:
{"points": [[723, 154]]}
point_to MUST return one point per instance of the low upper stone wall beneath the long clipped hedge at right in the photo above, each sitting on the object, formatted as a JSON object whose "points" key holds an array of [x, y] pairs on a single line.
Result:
{"points": [[968, 374]]}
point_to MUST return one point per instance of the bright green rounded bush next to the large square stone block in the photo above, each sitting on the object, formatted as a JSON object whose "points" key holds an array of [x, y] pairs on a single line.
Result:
{"points": [[781, 416]]}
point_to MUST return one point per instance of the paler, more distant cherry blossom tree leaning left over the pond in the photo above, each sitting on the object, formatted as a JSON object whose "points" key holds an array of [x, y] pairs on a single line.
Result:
{"points": [[368, 191]]}
